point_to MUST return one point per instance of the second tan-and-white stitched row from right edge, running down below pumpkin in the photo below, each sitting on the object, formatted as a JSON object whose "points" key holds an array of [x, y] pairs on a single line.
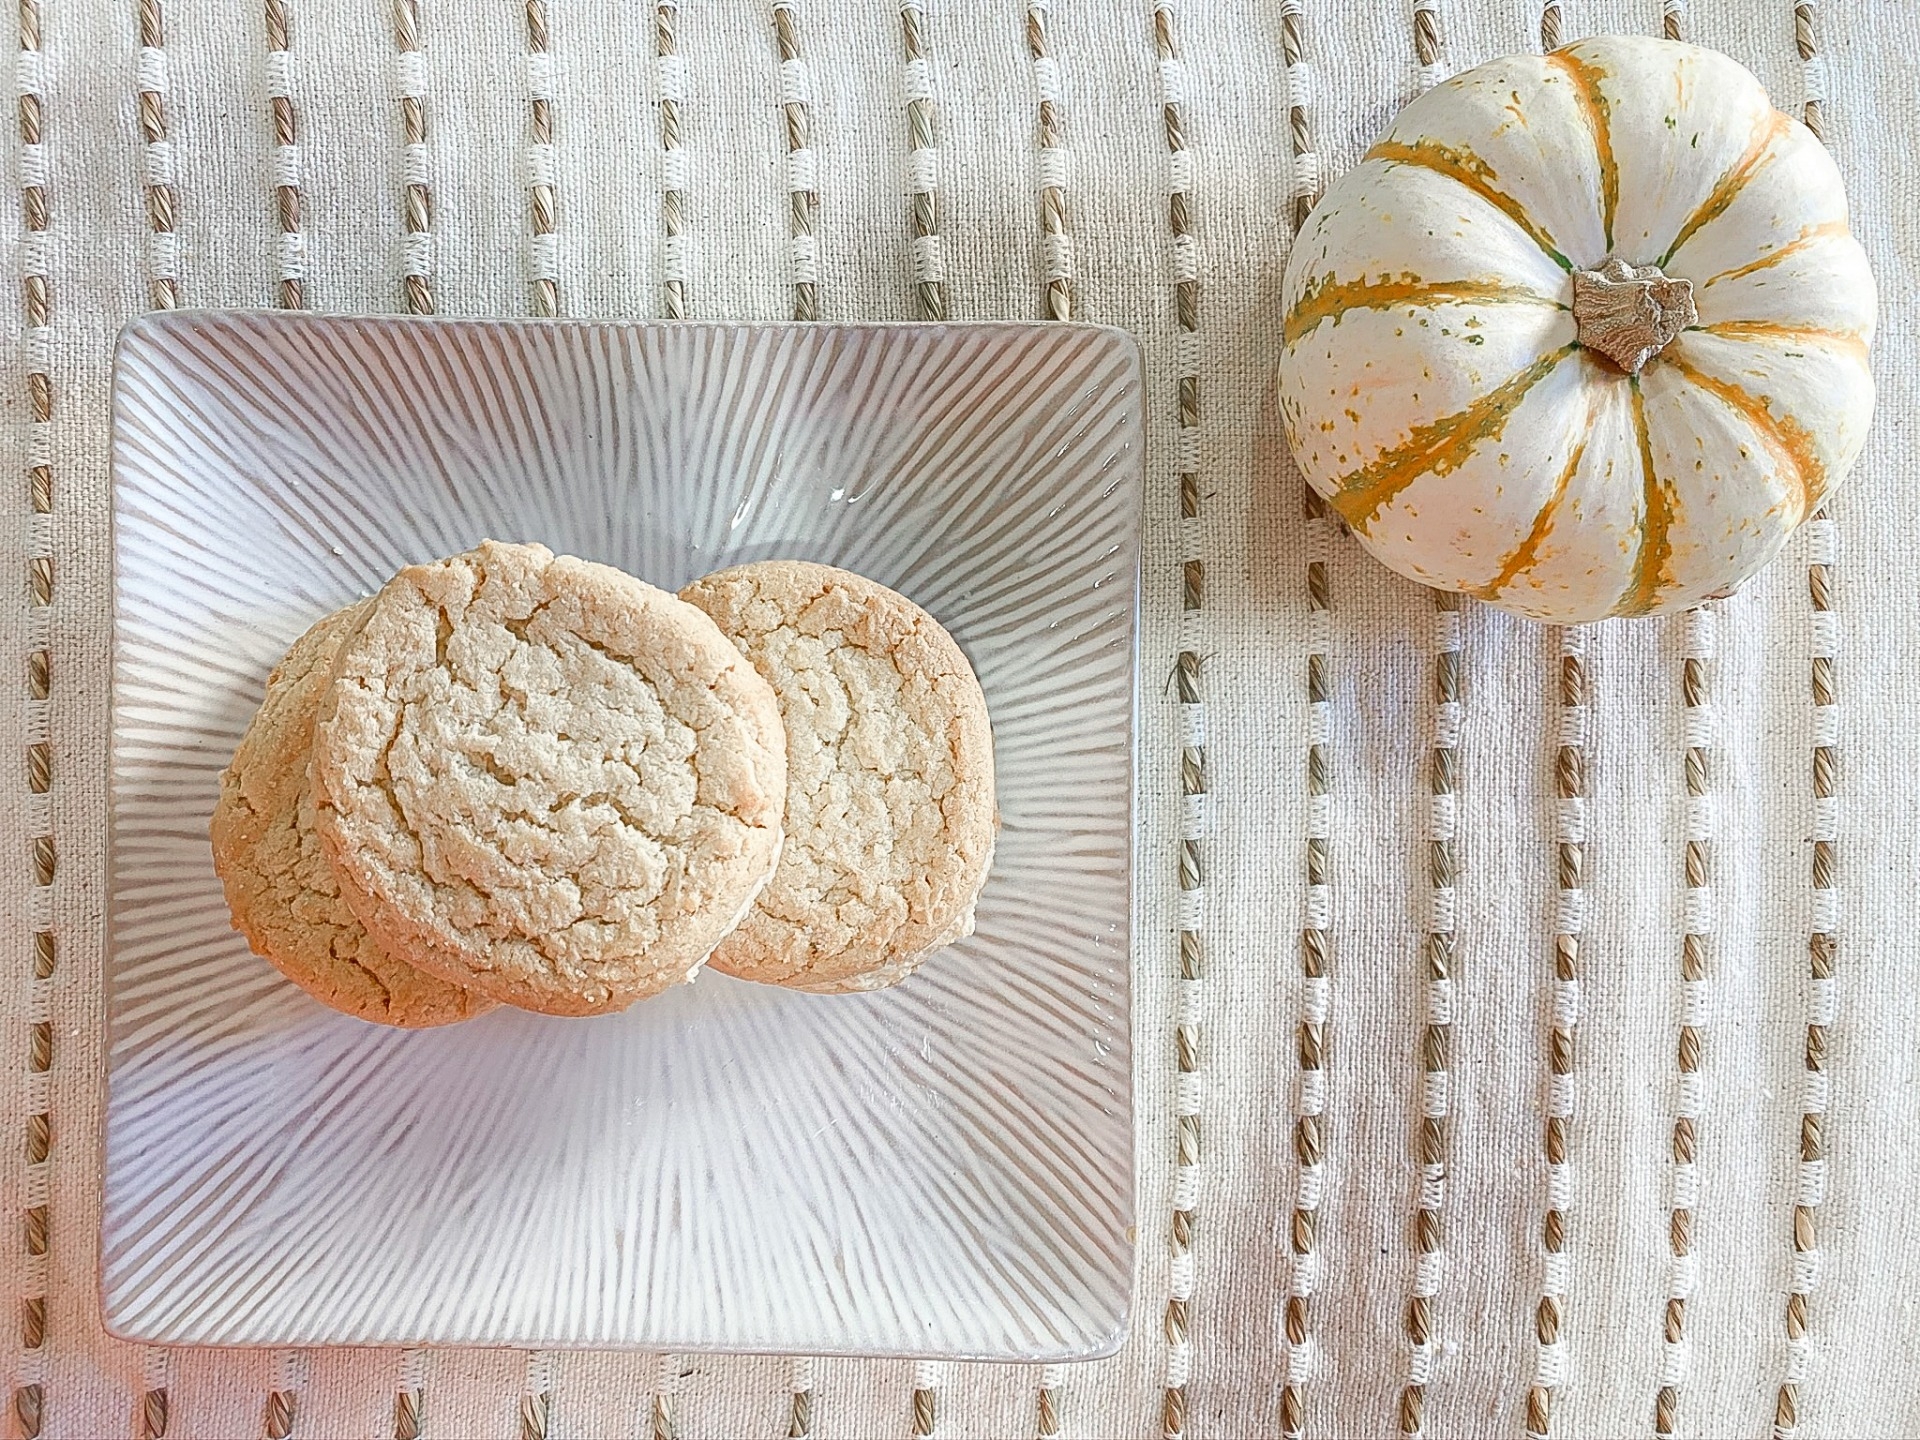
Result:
{"points": [[1692, 1036]]}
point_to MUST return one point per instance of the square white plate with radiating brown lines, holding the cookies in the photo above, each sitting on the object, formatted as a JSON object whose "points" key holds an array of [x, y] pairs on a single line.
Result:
{"points": [[938, 1170]]}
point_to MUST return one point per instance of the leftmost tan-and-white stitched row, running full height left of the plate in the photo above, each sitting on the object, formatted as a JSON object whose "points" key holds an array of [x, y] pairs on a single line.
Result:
{"points": [[30, 1385]]}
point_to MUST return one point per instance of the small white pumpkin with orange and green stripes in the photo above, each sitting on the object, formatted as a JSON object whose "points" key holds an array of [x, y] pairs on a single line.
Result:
{"points": [[1585, 335]]}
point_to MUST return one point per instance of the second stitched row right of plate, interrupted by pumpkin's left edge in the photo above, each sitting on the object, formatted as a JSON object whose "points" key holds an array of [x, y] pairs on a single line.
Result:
{"points": [[1316, 932]]}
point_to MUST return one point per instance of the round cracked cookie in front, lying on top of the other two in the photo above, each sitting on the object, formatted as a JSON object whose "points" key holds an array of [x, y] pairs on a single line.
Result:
{"points": [[546, 779]]}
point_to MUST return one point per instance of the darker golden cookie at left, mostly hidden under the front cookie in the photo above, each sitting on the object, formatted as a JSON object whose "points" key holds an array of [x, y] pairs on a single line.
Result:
{"points": [[281, 888]]}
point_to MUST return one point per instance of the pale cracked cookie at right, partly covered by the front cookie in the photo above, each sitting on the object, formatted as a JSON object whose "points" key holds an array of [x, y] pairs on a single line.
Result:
{"points": [[890, 779]]}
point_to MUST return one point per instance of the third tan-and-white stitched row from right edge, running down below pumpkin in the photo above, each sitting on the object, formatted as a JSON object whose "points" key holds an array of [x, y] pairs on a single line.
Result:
{"points": [[1570, 788]]}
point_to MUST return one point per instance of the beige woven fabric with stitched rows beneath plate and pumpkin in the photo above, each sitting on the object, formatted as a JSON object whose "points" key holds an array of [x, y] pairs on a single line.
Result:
{"points": [[1180, 141]]}
